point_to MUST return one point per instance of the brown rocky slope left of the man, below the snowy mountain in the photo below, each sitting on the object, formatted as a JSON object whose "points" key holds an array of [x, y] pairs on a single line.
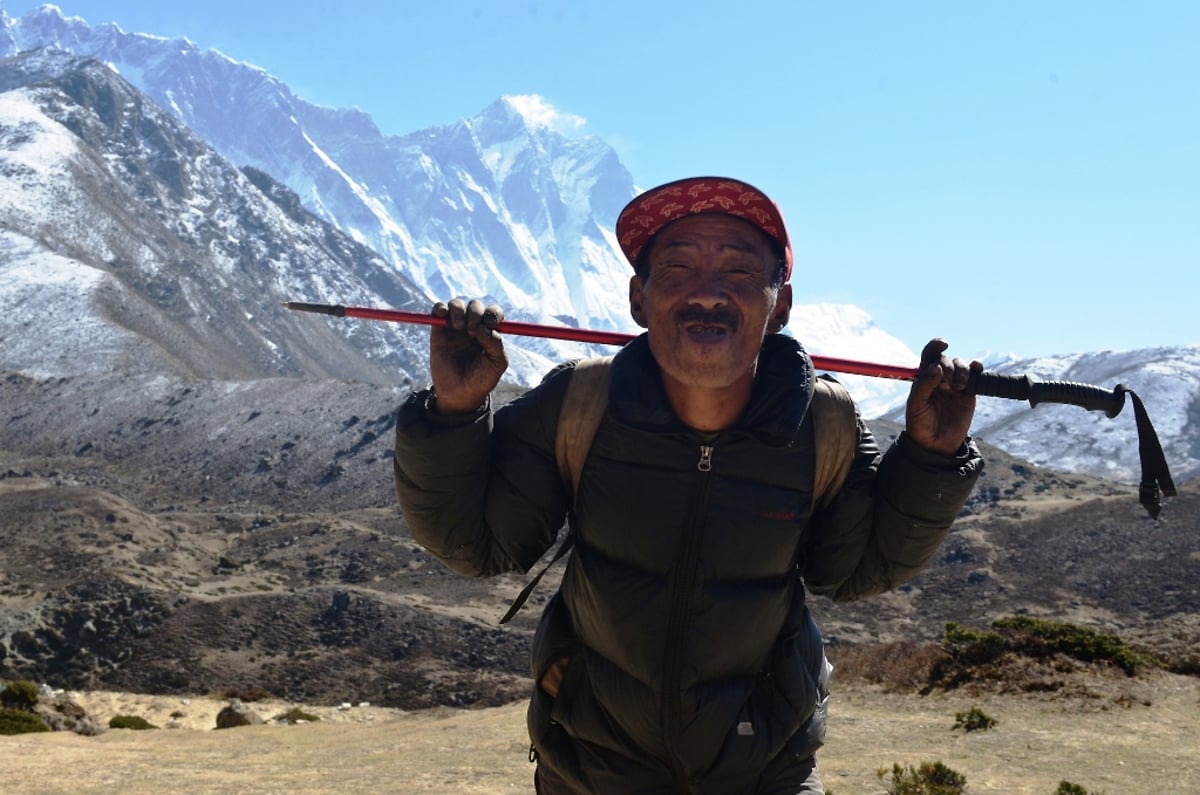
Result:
{"points": [[194, 536]]}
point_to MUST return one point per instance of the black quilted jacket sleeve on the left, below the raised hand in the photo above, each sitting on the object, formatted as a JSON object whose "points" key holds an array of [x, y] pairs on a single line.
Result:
{"points": [[483, 492]]}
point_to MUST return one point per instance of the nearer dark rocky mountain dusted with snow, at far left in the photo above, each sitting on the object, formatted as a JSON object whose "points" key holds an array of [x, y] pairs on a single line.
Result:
{"points": [[128, 244]]}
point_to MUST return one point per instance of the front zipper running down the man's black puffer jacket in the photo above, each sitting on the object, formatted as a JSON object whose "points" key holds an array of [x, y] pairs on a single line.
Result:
{"points": [[681, 602]]}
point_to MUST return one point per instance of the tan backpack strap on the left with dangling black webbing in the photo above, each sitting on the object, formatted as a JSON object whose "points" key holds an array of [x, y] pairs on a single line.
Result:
{"points": [[584, 408]]}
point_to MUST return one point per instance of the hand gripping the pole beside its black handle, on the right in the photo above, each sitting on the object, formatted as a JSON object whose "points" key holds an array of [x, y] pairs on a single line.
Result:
{"points": [[939, 413]]}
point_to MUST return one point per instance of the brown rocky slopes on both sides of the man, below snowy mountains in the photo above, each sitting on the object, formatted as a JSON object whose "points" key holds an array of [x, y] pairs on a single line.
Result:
{"points": [[178, 536]]}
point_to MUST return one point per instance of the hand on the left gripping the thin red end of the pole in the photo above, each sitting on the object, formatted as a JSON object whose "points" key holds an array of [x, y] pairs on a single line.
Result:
{"points": [[467, 356]]}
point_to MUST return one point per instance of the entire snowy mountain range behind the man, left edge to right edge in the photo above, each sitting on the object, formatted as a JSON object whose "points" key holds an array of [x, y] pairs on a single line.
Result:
{"points": [[170, 256]]}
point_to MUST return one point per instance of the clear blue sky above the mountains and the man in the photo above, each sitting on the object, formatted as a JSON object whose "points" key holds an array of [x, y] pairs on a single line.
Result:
{"points": [[1013, 176]]}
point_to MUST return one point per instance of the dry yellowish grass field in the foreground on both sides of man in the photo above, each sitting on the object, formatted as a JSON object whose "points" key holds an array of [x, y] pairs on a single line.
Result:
{"points": [[1141, 738]]}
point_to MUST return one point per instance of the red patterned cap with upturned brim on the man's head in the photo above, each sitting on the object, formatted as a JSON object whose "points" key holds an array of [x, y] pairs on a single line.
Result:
{"points": [[658, 207]]}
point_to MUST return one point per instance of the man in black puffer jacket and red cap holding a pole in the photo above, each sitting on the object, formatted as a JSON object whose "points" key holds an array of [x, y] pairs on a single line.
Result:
{"points": [[679, 655]]}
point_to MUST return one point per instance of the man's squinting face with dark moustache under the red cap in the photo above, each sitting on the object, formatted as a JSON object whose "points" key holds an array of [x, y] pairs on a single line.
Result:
{"points": [[707, 301]]}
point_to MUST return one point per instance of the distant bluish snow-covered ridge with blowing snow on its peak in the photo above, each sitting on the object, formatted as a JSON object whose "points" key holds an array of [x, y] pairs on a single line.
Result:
{"points": [[499, 206]]}
